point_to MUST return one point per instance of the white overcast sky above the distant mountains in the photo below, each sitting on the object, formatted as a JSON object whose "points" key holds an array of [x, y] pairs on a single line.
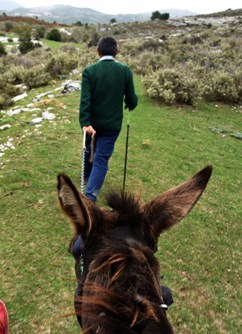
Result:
{"points": [[139, 6]]}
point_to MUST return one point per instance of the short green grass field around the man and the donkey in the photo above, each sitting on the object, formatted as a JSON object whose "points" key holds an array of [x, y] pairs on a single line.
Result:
{"points": [[200, 258]]}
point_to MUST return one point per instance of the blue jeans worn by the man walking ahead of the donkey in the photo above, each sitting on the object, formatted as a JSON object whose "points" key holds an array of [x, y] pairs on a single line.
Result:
{"points": [[95, 172]]}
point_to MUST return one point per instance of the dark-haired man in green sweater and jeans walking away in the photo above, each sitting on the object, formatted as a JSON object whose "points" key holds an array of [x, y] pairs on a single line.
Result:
{"points": [[106, 86]]}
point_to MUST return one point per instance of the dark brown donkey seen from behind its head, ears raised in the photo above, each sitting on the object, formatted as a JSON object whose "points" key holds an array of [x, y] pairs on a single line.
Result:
{"points": [[121, 281]]}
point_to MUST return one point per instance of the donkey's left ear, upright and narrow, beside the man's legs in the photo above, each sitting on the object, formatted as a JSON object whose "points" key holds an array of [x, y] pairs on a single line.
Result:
{"points": [[74, 205]]}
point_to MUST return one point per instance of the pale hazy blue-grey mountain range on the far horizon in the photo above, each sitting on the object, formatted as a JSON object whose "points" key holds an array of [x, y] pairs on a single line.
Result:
{"points": [[70, 14]]}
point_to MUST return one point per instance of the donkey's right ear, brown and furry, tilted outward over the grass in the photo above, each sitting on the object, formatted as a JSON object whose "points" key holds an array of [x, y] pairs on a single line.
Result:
{"points": [[172, 206]]}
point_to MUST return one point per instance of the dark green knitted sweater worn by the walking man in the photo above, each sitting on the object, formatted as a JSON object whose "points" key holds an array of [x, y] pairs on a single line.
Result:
{"points": [[105, 86]]}
